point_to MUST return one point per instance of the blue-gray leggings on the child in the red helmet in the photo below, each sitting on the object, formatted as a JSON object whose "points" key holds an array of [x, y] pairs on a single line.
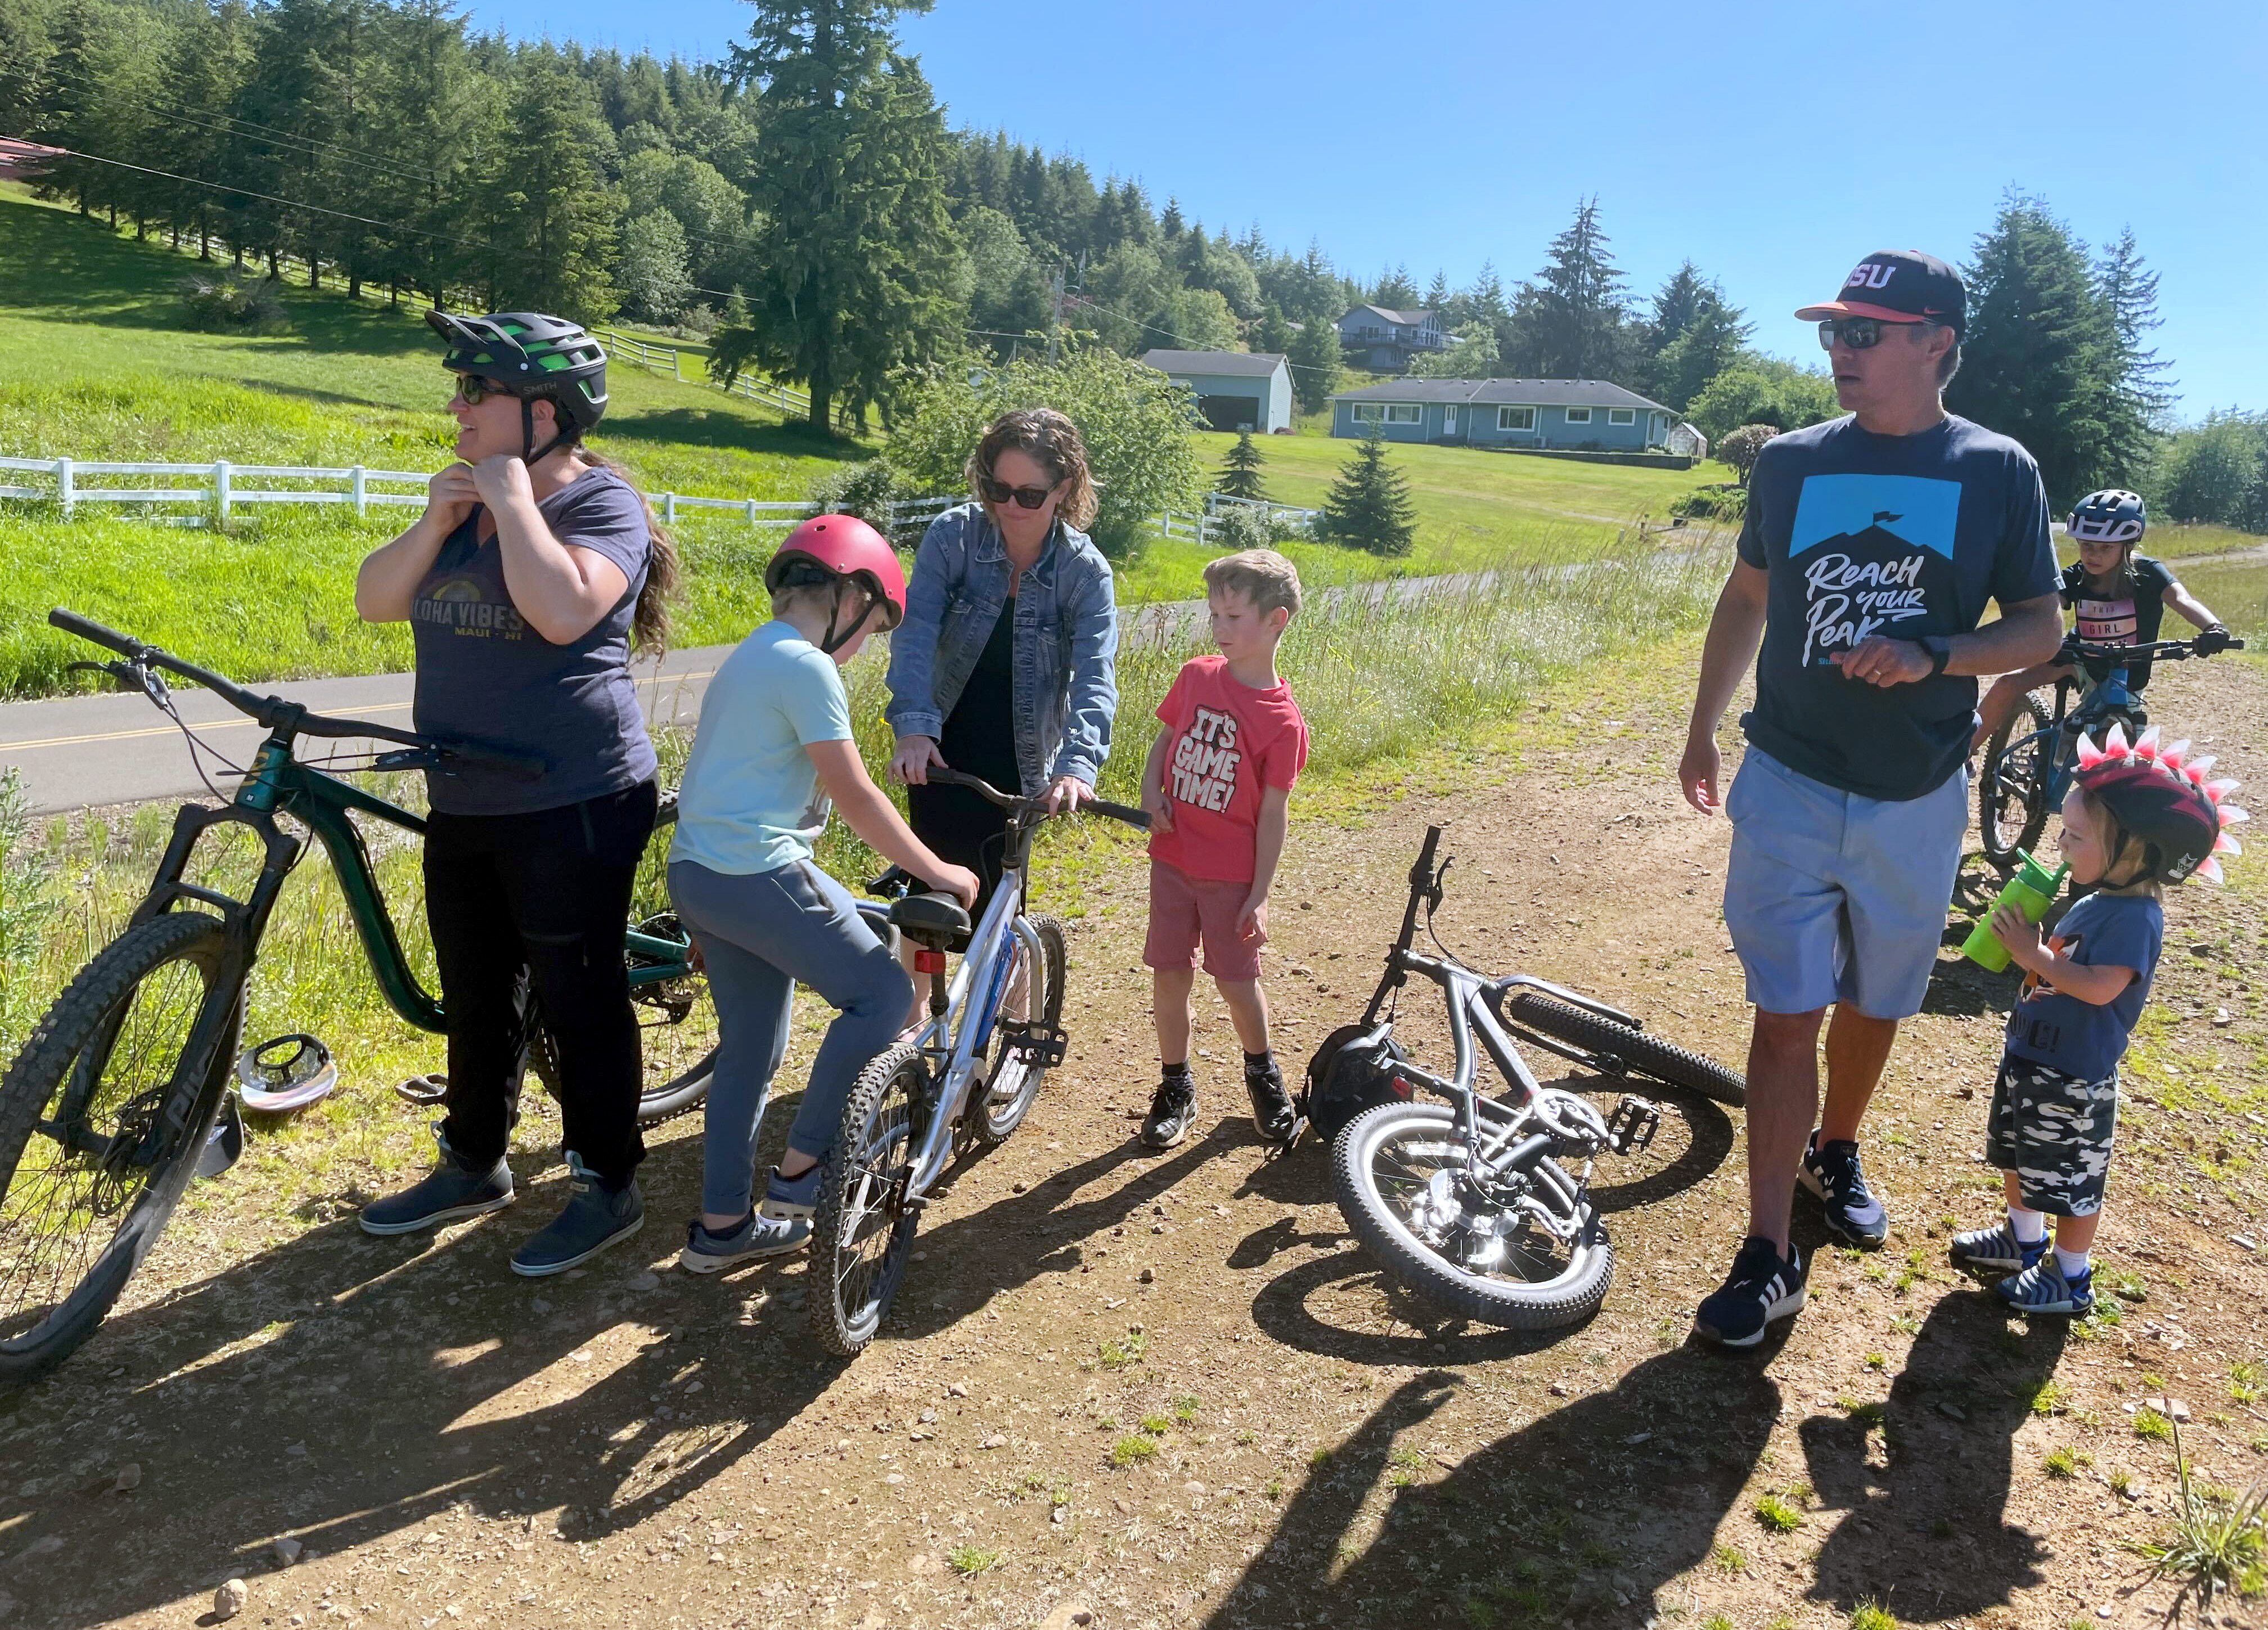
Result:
{"points": [[761, 935]]}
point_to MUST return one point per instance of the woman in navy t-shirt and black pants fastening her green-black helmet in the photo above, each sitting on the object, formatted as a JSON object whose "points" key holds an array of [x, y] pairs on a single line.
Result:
{"points": [[525, 584]]}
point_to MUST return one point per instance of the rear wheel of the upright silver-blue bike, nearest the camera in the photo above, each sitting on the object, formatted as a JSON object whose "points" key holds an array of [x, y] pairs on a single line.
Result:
{"points": [[863, 1232]]}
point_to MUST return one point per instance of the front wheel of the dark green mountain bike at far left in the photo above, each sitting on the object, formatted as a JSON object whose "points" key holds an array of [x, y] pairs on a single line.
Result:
{"points": [[87, 1169]]}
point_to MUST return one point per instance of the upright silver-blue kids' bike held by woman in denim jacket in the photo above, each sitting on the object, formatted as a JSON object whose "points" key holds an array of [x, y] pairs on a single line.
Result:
{"points": [[933, 1094]]}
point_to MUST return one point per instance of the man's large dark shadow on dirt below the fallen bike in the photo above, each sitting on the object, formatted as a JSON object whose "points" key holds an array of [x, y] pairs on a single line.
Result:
{"points": [[1582, 1513]]}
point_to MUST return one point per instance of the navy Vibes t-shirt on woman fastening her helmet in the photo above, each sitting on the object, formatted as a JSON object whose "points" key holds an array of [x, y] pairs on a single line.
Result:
{"points": [[489, 679]]}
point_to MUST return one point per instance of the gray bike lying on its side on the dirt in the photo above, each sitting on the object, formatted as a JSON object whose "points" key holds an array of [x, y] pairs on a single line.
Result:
{"points": [[1469, 1203]]}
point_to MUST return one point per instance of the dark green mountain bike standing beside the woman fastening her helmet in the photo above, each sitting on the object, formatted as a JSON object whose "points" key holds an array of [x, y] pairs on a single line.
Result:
{"points": [[112, 1098]]}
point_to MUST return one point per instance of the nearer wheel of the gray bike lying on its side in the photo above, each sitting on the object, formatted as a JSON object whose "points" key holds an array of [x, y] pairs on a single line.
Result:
{"points": [[1400, 1175]]}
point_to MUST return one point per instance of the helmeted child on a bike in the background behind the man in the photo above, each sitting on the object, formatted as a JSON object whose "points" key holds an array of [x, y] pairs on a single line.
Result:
{"points": [[2117, 600]]}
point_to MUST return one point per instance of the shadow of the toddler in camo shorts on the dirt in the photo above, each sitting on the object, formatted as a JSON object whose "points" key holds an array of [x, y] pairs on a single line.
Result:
{"points": [[1924, 1522]]}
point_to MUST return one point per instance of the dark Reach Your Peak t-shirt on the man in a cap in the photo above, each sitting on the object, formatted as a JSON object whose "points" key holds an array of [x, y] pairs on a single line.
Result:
{"points": [[1899, 536]]}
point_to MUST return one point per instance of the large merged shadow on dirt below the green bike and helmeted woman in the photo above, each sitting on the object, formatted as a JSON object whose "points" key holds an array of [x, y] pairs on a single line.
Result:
{"points": [[344, 1389]]}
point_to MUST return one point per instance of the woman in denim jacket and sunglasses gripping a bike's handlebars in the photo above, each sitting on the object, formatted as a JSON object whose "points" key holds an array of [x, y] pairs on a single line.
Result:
{"points": [[1006, 663]]}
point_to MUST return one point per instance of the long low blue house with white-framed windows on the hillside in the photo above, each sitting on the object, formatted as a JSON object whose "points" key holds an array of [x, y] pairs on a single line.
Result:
{"points": [[1566, 414]]}
